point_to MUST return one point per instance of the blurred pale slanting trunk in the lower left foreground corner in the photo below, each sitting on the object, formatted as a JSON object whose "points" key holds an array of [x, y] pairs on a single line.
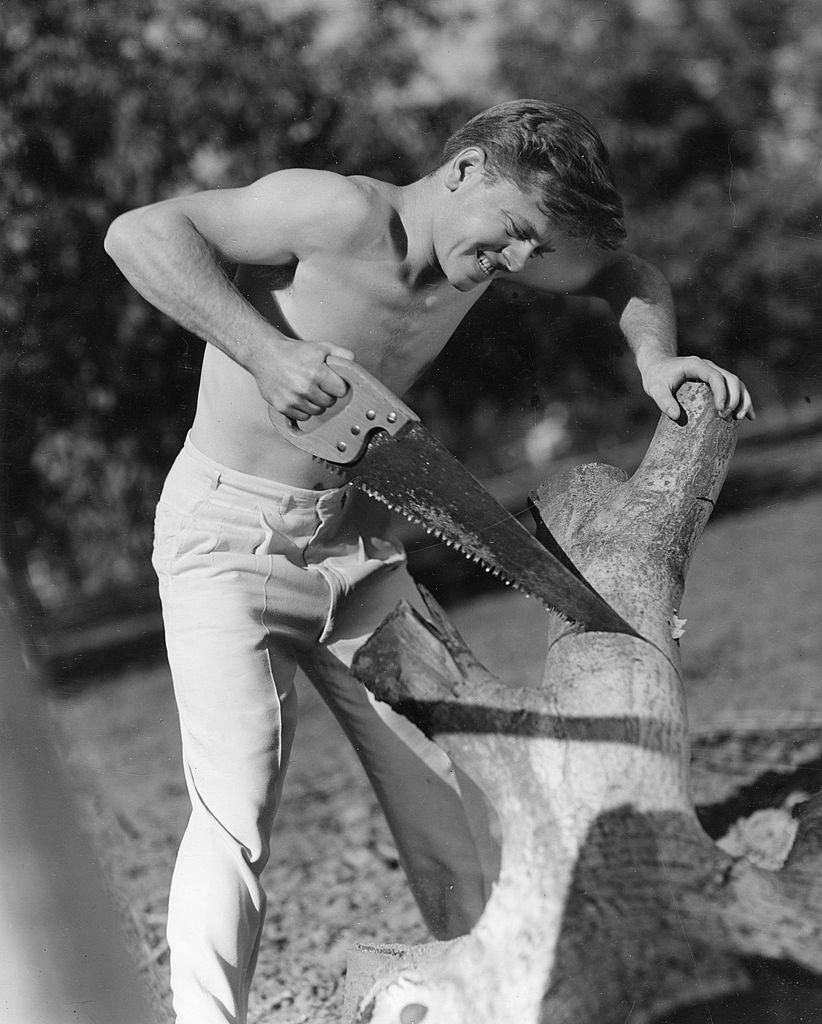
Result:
{"points": [[63, 956]]}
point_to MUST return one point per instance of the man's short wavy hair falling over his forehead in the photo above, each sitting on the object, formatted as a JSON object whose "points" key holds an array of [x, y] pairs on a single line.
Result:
{"points": [[554, 149]]}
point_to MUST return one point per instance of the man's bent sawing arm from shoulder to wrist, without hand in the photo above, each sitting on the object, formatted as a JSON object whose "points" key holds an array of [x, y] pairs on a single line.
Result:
{"points": [[172, 251]]}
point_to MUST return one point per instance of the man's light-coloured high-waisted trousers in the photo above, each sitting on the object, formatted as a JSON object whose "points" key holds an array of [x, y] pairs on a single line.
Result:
{"points": [[257, 579]]}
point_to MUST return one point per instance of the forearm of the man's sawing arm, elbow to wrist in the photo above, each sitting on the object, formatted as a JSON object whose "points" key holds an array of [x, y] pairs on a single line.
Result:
{"points": [[167, 261]]}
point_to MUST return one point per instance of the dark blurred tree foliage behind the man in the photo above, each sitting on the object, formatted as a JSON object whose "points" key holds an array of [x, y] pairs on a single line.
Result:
{"points": [[712, 113]]}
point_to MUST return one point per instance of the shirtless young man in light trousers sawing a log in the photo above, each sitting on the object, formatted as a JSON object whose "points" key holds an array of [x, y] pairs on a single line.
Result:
{"points": [[265, 562]]}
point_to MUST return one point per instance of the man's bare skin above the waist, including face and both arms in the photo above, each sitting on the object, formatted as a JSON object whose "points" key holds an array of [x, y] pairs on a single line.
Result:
{"points": [[357, 268]]}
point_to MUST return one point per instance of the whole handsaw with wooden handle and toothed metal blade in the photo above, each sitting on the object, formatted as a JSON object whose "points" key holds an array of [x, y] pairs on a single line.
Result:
{"points": [[384, 451]]}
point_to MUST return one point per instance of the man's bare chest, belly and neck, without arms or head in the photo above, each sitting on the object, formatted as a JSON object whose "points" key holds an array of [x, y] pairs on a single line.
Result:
{"points": [[355, 295]]}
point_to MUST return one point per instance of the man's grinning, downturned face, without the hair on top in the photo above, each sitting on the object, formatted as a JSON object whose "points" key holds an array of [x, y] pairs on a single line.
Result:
{"points": [[490, 229]]}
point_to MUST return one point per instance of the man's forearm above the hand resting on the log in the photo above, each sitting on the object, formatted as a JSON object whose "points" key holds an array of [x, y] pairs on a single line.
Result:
{"points": [[641, 301]]}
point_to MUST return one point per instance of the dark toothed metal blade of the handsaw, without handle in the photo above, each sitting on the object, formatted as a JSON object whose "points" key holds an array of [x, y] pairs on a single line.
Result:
{"points": [[414, 475]]}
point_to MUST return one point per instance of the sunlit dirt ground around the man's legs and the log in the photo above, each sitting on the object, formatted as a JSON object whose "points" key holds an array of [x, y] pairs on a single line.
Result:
{"points": [[754, 657]]}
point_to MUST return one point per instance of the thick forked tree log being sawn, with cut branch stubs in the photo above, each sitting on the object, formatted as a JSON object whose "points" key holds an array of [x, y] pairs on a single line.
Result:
{"points": [[613, 904]]}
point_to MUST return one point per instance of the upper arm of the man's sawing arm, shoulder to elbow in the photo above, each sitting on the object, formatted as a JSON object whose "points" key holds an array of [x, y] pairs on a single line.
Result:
{"points": [[277, 219]]}
